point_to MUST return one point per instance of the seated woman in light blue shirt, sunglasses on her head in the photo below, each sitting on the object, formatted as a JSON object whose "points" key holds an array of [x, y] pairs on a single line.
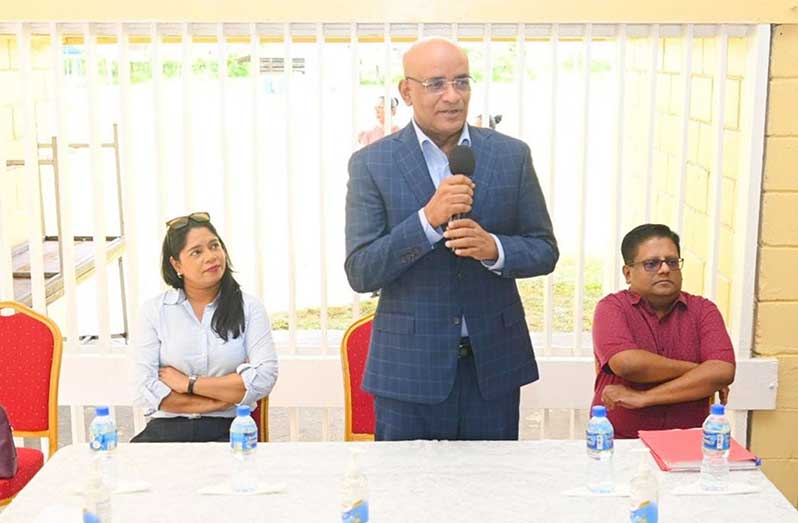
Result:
{"points": [[203, 346]]}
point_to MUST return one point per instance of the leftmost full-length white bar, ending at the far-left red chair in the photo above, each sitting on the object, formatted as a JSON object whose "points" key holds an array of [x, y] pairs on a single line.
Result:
{"points": [[35, 232]]}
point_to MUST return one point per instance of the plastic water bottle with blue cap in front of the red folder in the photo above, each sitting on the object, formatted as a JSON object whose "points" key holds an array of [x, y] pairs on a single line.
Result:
{"points": [[717, 439]]}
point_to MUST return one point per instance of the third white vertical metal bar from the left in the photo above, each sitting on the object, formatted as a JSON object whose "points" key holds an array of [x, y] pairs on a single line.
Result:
{"points": [[98, 189]]}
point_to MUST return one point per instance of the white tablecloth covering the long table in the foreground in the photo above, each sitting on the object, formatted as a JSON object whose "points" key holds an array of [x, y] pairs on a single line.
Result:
{"points": [[408, 482]]}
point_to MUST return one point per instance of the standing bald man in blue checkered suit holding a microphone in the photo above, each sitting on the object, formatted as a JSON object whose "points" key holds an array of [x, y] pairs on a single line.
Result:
{"points": [[450, 347]]}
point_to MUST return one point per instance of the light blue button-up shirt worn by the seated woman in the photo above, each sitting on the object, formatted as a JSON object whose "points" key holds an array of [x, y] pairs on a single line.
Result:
{"points": [[169, 334]]}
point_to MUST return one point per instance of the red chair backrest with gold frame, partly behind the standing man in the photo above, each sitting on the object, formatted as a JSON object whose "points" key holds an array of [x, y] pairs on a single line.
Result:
{"points": [[359, 422]]}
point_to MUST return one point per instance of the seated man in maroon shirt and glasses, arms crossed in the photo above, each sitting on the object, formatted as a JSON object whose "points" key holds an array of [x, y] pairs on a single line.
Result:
{"points": [[661, 353]]}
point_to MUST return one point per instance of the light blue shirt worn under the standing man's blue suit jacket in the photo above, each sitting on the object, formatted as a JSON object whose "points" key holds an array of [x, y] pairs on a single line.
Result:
{"points": [[438, 167]]}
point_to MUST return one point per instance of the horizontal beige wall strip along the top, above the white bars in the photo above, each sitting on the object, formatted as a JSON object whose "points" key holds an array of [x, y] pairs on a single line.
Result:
{"points": [[513, 11]]}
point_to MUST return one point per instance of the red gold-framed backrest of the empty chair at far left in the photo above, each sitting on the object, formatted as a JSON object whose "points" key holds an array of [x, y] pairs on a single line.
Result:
{"points": [[30, 366]]}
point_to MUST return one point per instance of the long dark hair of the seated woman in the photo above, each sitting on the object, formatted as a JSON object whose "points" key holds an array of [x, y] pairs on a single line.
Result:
{"points": [[228, 319]]}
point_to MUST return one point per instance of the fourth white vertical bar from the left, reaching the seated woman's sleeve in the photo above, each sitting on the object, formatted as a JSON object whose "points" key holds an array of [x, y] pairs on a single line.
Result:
{"points": [[127, 192]]}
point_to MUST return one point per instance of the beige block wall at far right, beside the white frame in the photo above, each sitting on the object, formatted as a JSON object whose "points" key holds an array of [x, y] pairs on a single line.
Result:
{"points": [[773, 434]]}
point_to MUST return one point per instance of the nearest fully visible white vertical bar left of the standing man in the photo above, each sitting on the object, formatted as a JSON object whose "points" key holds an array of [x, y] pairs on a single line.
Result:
{"points": [[323, 313]]}
